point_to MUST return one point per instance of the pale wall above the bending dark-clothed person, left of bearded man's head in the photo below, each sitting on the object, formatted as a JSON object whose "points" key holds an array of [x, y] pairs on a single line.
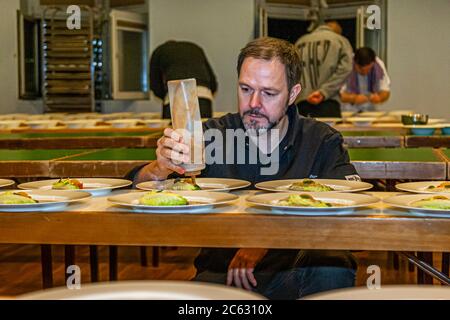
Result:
{"points": [[220, 27]]}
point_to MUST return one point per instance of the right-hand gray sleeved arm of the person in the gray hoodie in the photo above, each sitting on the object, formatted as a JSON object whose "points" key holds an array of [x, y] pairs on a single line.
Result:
{"points": [[343, 69]]}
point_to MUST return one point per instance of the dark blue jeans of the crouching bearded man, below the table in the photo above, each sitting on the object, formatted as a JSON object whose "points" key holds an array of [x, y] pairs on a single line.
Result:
{"points": [[313, 271]]}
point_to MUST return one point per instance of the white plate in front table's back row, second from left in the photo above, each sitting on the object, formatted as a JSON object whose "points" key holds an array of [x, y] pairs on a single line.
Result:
{"points": [[96, 187]]}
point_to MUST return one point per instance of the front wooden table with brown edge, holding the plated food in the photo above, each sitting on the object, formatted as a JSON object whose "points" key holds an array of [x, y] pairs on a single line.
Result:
{"points": [[238, 225]]}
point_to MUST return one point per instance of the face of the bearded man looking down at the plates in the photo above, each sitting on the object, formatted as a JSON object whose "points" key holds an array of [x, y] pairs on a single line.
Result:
{"points": [[263, 93]]}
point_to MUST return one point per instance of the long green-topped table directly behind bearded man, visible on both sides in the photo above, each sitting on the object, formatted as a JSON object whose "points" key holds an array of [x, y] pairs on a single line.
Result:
{"points": [[371, 163]]}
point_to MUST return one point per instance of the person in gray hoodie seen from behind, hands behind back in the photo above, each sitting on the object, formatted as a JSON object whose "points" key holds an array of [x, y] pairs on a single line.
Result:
{"points": [[326, 59]]}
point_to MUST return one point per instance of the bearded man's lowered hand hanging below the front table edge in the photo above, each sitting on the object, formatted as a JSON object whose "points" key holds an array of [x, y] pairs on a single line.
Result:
{"points": [[240, 270]]}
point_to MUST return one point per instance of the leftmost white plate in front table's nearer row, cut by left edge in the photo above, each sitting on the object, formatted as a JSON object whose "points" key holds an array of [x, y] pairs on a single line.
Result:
{"points": [[51, 200]]}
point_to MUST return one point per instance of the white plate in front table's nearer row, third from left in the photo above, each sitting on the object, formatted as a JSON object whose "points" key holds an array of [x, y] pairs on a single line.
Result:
{"points": [[347, 203]]}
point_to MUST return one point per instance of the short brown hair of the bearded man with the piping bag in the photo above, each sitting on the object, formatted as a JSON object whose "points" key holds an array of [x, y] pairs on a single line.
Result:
{"points": [[268, 48]]}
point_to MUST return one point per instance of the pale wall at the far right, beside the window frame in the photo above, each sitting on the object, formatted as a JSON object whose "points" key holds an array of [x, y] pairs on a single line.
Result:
{"points": [[419, 56]]}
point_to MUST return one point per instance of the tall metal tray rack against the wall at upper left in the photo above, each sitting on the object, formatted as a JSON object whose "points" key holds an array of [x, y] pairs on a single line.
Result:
{"points": [[67, 61]]}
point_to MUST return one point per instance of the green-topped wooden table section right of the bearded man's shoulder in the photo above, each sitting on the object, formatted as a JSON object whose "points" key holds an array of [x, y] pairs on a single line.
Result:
{"points": [[399, 163]]}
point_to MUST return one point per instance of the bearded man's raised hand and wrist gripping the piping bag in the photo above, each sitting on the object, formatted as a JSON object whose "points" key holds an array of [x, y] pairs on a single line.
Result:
{"points": [[171, 152]]}
